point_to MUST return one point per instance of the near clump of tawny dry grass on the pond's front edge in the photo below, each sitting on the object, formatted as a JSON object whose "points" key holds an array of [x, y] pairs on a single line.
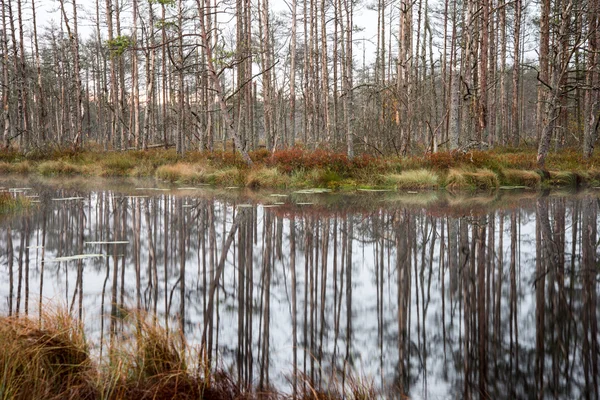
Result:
{"points": [[51, 359]]}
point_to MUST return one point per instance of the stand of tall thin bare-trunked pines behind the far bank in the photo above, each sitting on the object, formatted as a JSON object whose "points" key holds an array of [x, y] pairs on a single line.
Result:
{"points": [[199, 74]]}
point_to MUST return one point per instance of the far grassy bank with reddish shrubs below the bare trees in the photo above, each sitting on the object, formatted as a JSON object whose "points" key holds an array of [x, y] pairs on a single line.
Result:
{"points": [[298, 168]]}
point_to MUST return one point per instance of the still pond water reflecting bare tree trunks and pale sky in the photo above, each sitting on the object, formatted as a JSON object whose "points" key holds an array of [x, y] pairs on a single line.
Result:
{"points": [[430, 295]]}
